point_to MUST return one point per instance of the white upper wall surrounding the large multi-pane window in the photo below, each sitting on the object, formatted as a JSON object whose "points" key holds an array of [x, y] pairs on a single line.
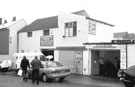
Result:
{"points": [[81, 32]]}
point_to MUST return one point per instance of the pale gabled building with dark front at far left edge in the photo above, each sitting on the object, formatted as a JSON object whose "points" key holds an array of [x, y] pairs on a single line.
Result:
{"points": [[9, 38]]}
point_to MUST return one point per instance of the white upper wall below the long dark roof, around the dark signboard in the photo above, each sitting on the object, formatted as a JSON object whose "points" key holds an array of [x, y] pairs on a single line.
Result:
{"points": [[32, 44]]}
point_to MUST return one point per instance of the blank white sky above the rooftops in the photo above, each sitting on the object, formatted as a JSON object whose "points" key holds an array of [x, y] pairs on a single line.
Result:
{"points": [[120, 13]]}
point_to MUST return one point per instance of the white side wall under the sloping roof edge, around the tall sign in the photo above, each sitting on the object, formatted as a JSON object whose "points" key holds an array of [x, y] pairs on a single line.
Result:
{"points": [[104, 33]]}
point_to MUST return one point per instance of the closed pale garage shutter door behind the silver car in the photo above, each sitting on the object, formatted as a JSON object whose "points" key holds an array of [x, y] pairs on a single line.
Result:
{"points": [[72, 59]]}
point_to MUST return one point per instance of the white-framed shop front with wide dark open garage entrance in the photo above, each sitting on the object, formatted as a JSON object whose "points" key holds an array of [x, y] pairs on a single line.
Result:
{"points": [[106, 58]]}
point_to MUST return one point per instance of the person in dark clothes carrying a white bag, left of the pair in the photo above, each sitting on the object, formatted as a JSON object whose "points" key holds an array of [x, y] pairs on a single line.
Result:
{"points": [[24, 65]]}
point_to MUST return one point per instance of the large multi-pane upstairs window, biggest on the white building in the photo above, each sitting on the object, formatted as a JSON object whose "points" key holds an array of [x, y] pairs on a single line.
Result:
{"points": [[70, 29]]}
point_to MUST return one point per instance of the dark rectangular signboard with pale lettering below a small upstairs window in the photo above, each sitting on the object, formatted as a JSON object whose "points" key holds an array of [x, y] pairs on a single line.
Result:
{"points": [[46, 40]]}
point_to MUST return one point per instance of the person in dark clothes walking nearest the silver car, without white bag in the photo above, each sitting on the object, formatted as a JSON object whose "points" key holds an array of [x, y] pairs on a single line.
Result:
{"points": [[36, 64]]}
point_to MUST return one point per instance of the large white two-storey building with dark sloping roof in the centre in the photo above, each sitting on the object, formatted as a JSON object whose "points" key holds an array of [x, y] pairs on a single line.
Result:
{"points": [[63, 36]]}
